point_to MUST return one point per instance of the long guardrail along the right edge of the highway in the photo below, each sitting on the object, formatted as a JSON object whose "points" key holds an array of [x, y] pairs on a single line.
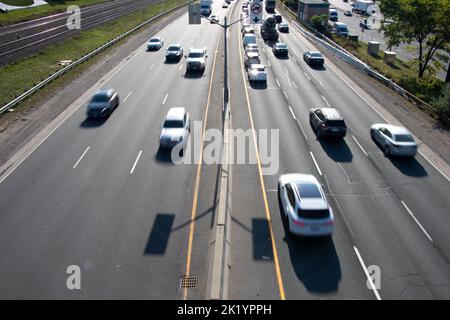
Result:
{"points": [[348, 57]]}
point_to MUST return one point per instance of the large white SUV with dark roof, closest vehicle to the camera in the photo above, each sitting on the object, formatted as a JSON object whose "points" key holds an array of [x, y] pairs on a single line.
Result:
{"points": [[304, 206]]}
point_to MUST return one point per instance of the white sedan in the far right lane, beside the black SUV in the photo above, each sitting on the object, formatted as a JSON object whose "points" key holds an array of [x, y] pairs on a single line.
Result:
{"points": [[394, 140]]}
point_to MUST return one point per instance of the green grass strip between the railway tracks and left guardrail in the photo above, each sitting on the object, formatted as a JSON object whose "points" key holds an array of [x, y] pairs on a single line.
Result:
{"points": [[17, 77]]}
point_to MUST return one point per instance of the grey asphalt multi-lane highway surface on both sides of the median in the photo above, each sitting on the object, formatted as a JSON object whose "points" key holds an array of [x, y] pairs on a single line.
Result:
{"points": [[102, 196]]}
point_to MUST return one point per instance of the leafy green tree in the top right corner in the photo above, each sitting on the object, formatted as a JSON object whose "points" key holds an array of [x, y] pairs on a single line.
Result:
{"points": [[424, 21]]}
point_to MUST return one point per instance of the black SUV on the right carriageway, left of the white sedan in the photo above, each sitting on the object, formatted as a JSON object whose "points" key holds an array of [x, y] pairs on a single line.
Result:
{"points": [[327, 122]]}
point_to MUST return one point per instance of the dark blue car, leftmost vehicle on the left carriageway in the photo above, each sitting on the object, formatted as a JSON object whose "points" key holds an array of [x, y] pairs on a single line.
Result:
{"points": [[103, 103]]}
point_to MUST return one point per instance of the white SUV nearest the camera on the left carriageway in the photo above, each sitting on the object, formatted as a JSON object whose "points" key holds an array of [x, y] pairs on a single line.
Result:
{"points": [[175, 128]]}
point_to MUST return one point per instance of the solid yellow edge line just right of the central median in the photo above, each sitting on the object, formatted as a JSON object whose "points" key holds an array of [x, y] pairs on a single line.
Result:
{"points": [[263, 188]]}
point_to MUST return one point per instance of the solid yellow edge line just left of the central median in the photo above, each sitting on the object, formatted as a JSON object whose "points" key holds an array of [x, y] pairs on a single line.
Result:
{"points": [[199, 169]]}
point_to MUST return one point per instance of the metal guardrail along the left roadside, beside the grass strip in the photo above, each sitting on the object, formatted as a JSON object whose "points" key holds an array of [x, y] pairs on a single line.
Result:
{"points": [[86, 57]]}
